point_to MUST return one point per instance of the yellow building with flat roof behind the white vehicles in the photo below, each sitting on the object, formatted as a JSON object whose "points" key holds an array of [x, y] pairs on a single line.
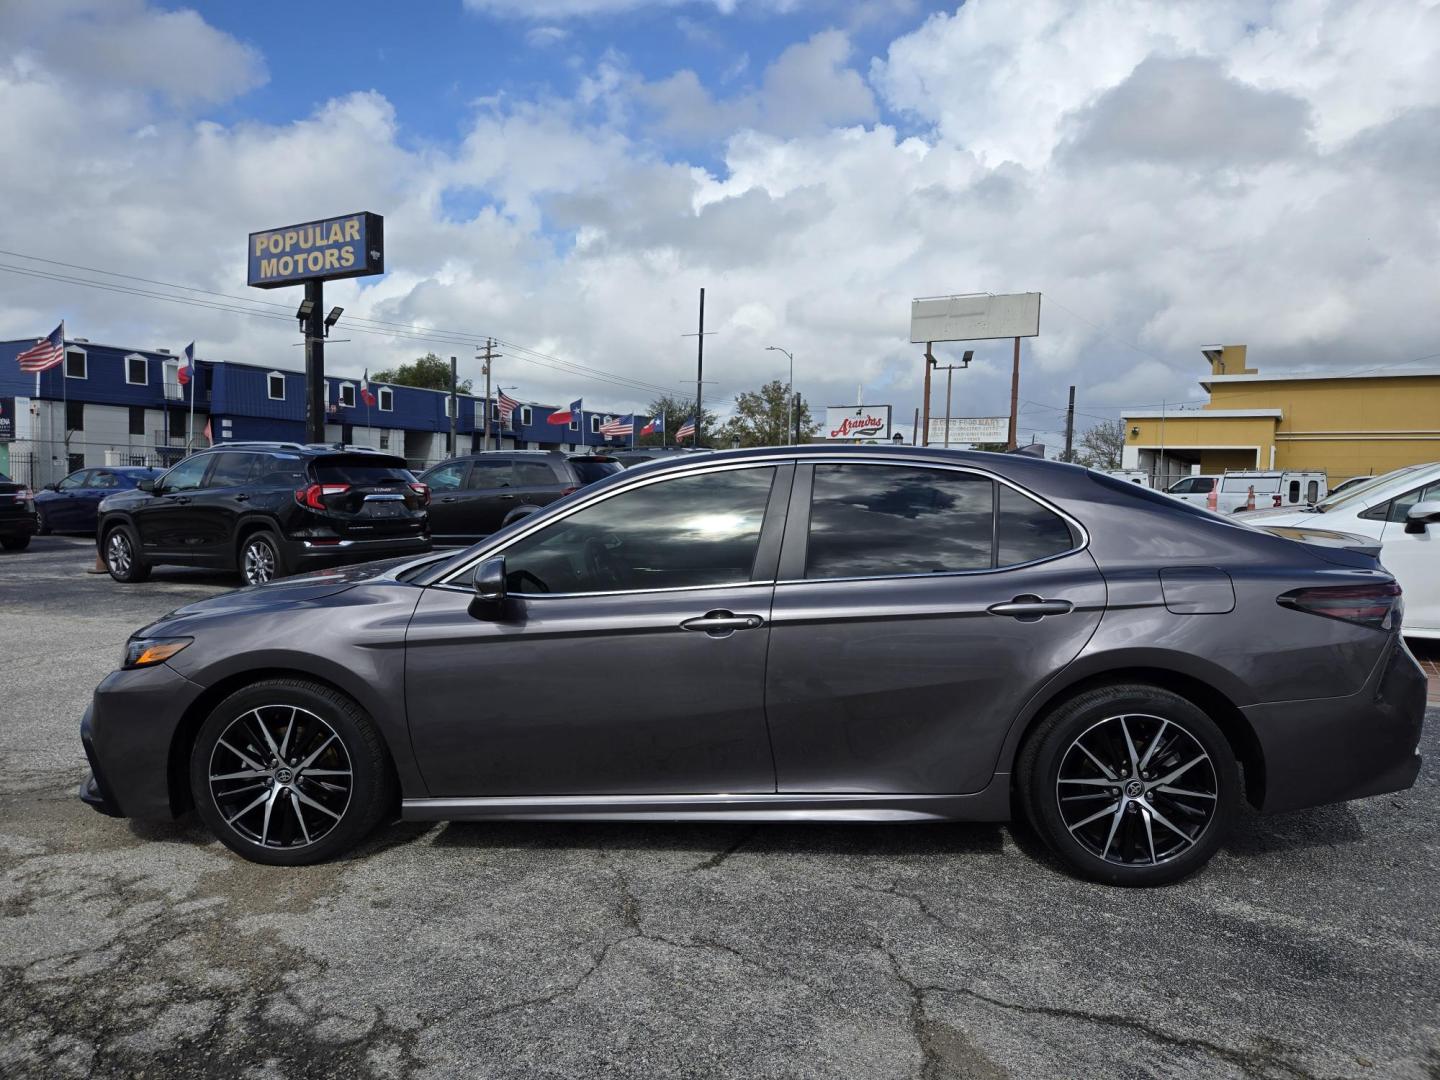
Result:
{"points": [[1346, 426]]}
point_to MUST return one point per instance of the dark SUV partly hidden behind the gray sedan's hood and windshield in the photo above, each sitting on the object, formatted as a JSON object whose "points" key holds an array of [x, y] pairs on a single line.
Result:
{"points": [[482, 493]]}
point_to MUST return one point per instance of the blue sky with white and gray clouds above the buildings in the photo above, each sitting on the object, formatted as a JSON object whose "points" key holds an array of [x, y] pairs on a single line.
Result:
{"points": [[565, 175]]}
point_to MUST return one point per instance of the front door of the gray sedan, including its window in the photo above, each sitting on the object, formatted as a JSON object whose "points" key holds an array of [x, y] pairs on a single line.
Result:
{"points": [[629, 657]]}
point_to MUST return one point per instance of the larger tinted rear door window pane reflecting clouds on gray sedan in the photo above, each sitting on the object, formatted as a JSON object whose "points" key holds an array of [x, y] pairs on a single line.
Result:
{"points": [[881, 521]]}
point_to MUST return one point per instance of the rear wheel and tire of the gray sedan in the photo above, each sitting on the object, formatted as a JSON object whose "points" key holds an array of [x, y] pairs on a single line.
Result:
{"points": [[1107, 824]]}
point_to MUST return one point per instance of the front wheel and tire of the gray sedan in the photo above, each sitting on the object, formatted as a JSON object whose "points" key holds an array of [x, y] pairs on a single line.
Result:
{"points": [[289, 813]]}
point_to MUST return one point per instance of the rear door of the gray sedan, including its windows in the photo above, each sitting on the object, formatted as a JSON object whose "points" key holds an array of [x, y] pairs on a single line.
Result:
{"points": [[911, 626]]}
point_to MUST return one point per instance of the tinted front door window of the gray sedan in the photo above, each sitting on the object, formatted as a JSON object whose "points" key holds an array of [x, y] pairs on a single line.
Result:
{"points": [[672, 535]]}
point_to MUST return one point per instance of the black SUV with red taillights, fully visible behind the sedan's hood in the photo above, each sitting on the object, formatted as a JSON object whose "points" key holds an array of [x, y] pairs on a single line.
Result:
{"points": [[267, 510]]}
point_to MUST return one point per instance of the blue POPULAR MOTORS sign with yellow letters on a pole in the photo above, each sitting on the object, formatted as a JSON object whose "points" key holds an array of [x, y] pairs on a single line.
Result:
{"points": [[349, 247]]}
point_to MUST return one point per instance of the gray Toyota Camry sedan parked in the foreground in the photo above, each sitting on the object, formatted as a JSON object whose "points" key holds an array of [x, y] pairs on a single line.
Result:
{"points": [[801, 634]]}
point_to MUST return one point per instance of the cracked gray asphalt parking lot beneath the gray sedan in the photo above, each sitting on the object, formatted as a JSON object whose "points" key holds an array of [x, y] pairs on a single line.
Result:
{"points": [[1308, 950]]}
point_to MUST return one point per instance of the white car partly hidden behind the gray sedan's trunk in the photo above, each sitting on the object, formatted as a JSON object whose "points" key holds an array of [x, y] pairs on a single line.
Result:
{"points": [[1402, 510]]}
